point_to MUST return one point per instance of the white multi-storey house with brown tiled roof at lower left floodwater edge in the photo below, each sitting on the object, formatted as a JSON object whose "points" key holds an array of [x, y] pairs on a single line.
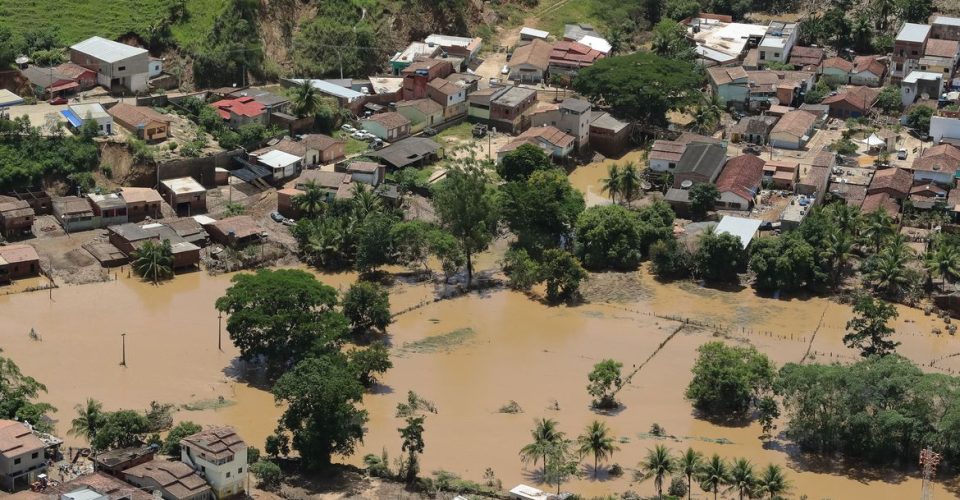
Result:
{"points": [[222, 457]]}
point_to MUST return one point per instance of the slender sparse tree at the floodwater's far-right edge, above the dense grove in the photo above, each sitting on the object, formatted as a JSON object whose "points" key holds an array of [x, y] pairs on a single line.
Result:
{"points": [[868, 330]]}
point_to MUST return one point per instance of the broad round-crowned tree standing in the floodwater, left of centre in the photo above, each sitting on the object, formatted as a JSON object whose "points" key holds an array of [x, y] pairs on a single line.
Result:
{"points": [[279, 316]]}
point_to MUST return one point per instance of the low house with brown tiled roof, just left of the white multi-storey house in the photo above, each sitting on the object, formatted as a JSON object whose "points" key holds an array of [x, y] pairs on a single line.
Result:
{"points": [[172, 479]]}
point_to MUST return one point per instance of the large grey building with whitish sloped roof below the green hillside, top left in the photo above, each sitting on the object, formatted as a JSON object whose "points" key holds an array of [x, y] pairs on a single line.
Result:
{"points": [[116, 64]]}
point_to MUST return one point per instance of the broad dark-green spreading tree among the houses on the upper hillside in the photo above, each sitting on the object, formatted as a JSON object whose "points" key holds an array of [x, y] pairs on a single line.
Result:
{"points": [[641, 86]]}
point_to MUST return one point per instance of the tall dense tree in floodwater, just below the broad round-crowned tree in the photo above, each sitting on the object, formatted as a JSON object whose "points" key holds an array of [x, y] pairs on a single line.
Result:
{"points": [[321, 395]]}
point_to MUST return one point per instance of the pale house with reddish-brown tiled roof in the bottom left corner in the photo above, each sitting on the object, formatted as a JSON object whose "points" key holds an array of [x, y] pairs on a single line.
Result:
{"points": [[21, 452]]}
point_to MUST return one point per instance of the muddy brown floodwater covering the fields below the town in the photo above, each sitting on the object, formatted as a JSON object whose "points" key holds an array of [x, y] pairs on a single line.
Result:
{"points": [[469, 356]]}
